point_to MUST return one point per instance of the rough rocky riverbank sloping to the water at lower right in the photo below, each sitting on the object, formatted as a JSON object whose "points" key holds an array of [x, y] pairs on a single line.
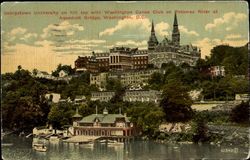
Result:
{"points": [[215, 135]]}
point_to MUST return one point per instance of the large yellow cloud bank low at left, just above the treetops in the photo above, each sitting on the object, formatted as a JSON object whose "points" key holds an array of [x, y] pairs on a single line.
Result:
{"points": [[42, 58]]}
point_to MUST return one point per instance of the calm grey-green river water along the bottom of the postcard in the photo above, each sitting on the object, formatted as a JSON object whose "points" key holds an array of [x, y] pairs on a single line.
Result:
{"points": [[136, 150]]}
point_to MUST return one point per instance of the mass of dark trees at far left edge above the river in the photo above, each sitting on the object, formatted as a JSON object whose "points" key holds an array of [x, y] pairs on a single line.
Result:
{"points": [[24, 105]]}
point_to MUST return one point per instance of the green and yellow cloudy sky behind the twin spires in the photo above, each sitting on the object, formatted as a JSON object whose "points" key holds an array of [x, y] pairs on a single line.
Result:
{"points": [[41, 35]]}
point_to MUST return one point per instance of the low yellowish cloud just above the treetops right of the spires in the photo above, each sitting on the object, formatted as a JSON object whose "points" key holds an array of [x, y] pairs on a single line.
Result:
{"points": [[206, 44]]}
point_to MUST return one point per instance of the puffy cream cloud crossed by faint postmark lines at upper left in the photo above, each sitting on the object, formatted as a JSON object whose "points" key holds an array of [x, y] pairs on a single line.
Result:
{"points": [[61, 30]]}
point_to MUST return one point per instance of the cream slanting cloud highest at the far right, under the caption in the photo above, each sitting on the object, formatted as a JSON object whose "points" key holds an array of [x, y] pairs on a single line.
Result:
{"points": [[231, 19]]}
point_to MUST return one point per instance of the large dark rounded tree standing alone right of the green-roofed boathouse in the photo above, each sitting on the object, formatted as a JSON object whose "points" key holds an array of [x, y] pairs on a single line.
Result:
{"points": [[176, 102]]}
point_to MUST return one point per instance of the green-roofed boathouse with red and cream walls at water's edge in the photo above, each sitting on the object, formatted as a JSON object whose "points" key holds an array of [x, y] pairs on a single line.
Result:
{"points": [[103, 125]]}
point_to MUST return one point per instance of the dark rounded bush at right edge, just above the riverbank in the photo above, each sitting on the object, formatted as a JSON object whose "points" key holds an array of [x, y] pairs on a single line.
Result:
{"points": [[240, 114]]}
